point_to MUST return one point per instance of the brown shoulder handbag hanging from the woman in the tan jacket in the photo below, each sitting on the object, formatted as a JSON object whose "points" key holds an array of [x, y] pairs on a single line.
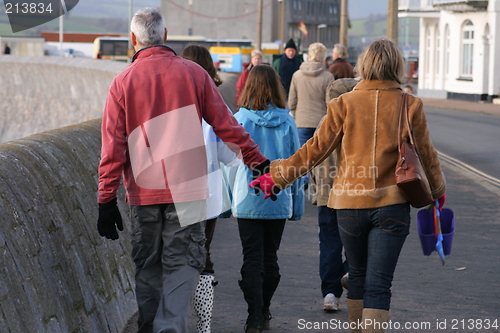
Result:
{"points": [[410, 175]]}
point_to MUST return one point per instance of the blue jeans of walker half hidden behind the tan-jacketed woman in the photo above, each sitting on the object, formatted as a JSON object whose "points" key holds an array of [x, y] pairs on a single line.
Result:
{"points": [[331, 267]]}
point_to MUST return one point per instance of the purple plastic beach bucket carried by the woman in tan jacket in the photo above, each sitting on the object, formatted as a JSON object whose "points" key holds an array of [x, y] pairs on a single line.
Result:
{"points": [[425, 228]]}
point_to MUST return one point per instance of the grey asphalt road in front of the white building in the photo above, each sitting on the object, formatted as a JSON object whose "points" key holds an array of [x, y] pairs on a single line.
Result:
{"points": [[473, 138]]}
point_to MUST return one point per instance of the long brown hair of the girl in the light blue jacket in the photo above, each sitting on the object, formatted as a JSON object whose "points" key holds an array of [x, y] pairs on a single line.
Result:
{"points": [[263, 88]]}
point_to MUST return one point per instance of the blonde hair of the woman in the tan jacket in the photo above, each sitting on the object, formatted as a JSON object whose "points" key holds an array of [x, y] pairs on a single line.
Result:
{"points": [[381, 60]]}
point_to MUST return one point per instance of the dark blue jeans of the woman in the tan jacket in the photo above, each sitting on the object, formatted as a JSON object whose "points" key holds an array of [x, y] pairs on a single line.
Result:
{"points": [[373, 239]]}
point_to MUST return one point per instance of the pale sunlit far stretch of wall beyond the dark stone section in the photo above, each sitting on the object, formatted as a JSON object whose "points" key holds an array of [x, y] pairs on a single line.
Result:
{"points": [[43, 93]]}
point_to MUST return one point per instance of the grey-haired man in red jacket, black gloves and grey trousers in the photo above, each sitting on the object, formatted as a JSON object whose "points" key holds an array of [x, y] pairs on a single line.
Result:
{"points": [[152, 134]]}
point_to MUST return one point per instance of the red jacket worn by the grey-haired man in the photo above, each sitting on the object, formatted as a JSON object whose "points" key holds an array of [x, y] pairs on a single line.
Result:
{"points": [[151, 130]]}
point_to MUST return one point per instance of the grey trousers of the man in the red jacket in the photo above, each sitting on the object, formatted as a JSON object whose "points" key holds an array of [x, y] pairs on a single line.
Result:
{"points": [[168, 260]]}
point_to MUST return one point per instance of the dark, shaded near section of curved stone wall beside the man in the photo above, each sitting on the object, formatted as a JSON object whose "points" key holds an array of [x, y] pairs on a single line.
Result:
{"points": [[57, 275]]}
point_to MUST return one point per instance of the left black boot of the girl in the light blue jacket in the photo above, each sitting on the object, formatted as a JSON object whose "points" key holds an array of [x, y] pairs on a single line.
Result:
{"points": [[252, 291]]}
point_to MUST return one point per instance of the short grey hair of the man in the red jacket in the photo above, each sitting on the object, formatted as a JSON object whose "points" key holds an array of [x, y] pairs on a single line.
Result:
{"points": [[148, 26]]}
